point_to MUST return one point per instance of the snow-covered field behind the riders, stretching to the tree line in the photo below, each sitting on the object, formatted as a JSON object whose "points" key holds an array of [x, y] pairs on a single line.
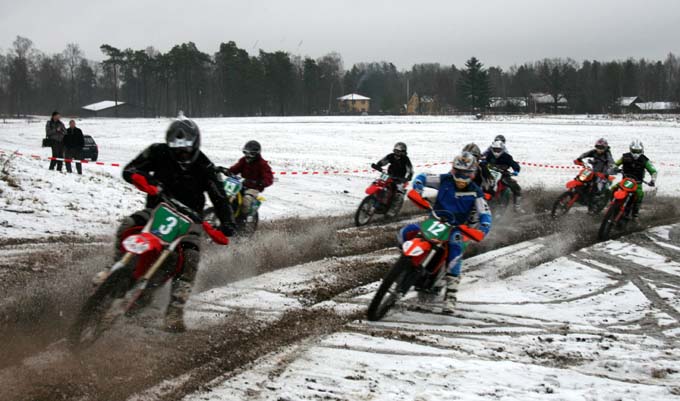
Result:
{"points": [[49, 203]]}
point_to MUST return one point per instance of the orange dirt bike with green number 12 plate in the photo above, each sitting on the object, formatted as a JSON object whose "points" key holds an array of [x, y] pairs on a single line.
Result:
{"points": [[423, 261]]}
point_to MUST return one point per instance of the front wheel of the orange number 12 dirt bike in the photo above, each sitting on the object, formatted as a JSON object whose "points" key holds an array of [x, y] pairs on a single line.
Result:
{"points": [[398, 280]]}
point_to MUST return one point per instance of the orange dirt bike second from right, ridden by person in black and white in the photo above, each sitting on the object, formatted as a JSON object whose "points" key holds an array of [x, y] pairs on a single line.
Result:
{"points": [[583, 189]]}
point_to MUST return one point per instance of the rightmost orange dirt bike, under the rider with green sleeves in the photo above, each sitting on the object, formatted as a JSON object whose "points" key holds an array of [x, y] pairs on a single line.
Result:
{"points": [[619, 211]]}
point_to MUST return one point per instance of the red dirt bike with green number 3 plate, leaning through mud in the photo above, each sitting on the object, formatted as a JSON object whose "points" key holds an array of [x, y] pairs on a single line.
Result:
{"points": [[145, 266]]}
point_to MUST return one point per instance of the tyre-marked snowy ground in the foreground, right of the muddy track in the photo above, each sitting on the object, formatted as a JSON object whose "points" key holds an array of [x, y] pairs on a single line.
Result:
{"points": [[600, 324]]}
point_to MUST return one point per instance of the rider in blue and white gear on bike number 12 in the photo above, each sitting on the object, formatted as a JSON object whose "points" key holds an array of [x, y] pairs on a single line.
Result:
{"points": [[457, 197]]}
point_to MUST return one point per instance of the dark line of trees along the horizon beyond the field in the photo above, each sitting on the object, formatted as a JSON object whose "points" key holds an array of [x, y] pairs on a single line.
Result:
{"points": [[232, 82]]}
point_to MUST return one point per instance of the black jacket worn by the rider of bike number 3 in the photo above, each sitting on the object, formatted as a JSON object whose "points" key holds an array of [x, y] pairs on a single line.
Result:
{"points": [[186, 185]]}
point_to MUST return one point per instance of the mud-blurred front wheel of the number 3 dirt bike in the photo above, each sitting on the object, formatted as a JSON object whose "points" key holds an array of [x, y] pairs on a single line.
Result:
{"points": [[92, 320]]}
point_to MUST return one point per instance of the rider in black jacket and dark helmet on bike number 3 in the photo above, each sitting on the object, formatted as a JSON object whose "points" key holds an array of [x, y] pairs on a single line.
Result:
{"points": [[179, 169]]}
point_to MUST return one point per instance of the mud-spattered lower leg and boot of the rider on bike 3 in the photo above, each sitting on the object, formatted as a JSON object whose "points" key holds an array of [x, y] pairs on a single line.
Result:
{"points": [[181, 290]]}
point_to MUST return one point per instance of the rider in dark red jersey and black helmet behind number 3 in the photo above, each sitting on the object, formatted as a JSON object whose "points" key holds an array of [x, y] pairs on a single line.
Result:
{"points": [[257, 175]]}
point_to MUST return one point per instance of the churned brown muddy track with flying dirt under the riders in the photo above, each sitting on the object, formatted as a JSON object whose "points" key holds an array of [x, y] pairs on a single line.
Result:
{"points": [[204, 355]]}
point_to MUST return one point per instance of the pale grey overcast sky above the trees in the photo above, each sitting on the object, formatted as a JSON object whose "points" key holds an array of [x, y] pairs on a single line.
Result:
{"points": [[498, 32]]}
